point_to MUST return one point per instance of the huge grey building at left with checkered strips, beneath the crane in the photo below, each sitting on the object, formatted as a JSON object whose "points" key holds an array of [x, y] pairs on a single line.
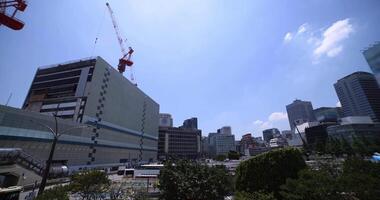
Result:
{"points": [[124, 119]]}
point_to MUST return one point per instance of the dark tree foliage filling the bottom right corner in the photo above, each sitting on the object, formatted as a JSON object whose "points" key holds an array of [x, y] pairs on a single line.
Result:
{"points": [[359, 179]]}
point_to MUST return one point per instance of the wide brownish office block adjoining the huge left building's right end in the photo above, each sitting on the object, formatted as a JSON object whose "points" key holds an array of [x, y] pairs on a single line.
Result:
{"points": [[180, 142]]}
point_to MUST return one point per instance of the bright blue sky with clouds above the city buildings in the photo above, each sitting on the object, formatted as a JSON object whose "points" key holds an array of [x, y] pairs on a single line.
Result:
{"points": [[236, 63]]}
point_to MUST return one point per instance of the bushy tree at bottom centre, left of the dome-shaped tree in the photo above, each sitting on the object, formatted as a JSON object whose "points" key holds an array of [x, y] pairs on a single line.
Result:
{"points": [[185, 180]]}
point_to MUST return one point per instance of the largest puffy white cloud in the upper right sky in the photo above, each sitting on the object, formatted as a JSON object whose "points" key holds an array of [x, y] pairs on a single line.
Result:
{"points": [[332, 38]]}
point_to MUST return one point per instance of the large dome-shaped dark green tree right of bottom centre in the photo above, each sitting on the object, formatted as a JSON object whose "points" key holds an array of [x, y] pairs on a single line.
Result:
{"points": [[268, 171]]}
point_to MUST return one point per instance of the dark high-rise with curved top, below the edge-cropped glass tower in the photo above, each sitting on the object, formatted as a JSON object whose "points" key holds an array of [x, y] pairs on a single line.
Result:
{"points": [[359, 95]]}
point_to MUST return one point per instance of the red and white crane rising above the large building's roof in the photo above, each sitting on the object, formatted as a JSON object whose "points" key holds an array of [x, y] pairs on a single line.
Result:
{"points": [[125, 60]]}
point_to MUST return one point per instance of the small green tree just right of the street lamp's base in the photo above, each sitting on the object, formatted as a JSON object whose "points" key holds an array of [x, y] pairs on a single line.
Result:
{"points": [[90, 184]]}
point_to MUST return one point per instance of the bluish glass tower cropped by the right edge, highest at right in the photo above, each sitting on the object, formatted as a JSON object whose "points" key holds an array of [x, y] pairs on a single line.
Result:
{"points": [[372, 55]]}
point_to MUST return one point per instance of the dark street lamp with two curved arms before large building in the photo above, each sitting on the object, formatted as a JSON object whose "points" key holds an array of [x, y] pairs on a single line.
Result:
{"points": [[56, 135]]}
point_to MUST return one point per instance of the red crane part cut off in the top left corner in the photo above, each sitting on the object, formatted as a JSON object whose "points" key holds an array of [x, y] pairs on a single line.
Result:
{"points": [[10, 20]]}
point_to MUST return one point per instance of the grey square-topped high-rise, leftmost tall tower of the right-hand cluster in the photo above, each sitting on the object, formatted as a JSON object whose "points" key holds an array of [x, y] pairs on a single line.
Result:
{"points": [[299, 112]]}
